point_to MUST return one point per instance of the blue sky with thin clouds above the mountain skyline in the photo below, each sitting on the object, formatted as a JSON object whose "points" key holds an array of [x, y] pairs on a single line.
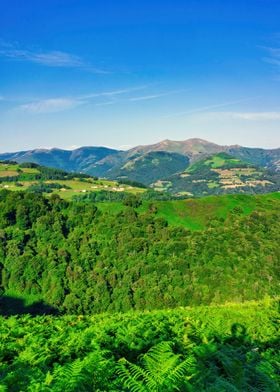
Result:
{"points": [[122, 73]]}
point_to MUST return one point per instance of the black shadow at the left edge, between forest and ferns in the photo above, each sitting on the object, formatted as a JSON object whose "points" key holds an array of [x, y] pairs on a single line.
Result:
{"points": [[11, 306]]}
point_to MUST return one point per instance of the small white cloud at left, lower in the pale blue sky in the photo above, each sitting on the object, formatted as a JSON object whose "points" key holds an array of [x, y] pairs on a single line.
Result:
{"points": [[50, 105]]}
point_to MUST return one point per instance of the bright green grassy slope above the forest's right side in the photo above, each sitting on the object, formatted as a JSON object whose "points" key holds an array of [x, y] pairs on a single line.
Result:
{"points": [[195, 214]]}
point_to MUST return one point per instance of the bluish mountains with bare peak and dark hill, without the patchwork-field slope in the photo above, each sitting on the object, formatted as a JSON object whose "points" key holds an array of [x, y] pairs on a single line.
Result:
{"points": [[147, 163]]}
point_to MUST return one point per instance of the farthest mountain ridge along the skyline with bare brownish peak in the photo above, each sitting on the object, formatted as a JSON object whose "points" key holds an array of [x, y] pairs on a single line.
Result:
{"points": [[108, 162]]}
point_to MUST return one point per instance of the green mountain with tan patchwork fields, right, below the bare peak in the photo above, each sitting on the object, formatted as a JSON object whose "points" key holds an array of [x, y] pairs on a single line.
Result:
{"points": [[220, 173]]}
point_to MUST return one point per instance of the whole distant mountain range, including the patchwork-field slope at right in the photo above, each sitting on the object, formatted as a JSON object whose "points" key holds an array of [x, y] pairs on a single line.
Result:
{"points": [[164, 161]]}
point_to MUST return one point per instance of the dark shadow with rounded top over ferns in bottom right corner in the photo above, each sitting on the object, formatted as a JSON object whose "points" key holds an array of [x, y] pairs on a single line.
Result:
{"points": [[236, 362]]}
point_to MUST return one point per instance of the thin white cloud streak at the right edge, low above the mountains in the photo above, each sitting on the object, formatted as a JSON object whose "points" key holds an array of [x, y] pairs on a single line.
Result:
{"points": [[248, 116]]}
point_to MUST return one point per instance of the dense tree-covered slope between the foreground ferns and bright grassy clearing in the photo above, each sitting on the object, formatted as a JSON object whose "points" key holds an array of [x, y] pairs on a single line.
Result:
{"points": [[78, 258]]}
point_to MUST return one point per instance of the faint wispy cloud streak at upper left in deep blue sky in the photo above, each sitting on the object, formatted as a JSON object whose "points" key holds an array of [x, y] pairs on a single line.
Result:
{"points": [[53, 58]]}
